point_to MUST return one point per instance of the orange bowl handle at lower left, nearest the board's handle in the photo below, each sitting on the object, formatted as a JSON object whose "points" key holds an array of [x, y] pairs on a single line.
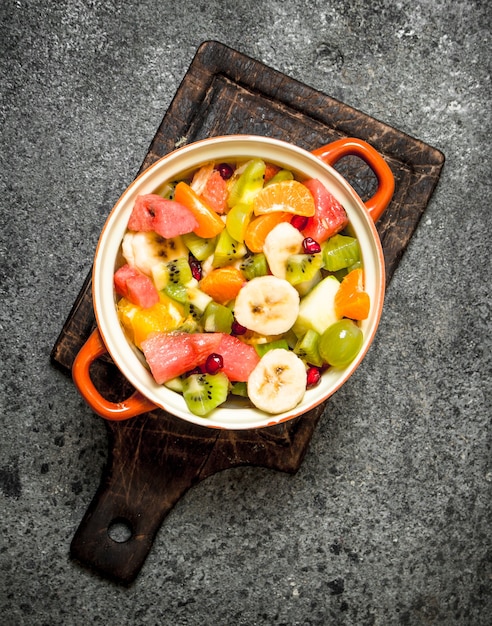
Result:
{"points": [[116, 411]]}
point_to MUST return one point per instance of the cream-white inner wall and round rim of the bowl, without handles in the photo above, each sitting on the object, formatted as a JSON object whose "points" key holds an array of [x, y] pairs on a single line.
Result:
{"points": [[233, 414]]}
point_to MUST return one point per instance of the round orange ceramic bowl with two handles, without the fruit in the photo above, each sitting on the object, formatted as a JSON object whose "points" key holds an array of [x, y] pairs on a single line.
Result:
{"points": [[109, 335]]}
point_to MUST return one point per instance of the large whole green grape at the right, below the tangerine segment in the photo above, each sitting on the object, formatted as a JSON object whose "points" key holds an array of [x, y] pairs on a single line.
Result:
{"points": [[340, 343]]}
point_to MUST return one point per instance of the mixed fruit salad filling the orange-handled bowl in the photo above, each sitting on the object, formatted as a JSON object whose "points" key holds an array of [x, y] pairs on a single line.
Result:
{"points": [[241, 280]]}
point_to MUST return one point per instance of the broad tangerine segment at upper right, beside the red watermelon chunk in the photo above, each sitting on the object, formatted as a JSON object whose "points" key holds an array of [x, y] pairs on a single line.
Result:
{"points": [[290, 196]]}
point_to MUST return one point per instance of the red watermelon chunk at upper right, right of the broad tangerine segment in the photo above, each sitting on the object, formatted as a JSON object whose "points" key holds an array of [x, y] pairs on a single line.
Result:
{"points": [[330, 216]]}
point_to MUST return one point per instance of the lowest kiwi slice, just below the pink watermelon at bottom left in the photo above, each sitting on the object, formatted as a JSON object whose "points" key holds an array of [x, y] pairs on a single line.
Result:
{"points": [[205, 392]]}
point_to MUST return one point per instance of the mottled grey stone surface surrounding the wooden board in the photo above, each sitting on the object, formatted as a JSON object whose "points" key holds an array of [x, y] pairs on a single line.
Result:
{"points": [[388, 519]]}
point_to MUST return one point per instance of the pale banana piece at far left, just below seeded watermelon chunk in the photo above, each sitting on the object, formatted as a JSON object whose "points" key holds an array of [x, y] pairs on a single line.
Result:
{"points": [[144, 250]]}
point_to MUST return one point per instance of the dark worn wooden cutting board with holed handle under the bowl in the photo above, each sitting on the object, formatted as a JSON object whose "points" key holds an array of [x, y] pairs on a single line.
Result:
{"points": [[155, 458]]}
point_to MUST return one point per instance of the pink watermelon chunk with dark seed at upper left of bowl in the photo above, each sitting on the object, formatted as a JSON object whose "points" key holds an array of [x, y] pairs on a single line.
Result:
{"points": [[167, 218]]}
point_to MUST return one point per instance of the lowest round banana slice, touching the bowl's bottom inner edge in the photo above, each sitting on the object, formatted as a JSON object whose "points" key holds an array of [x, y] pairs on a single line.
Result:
{"points": [[278, 382]]}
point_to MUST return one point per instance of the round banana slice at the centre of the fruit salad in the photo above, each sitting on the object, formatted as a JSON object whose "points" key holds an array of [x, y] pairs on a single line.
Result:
{"points": [[267, 305]]}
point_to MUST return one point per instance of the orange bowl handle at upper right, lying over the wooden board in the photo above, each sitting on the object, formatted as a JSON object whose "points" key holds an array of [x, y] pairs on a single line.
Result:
{"points": [[333, 152]]}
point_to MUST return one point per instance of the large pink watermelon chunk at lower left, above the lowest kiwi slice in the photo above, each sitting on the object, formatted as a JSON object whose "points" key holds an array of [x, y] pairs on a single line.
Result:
{"points": [[171, 354]]}
